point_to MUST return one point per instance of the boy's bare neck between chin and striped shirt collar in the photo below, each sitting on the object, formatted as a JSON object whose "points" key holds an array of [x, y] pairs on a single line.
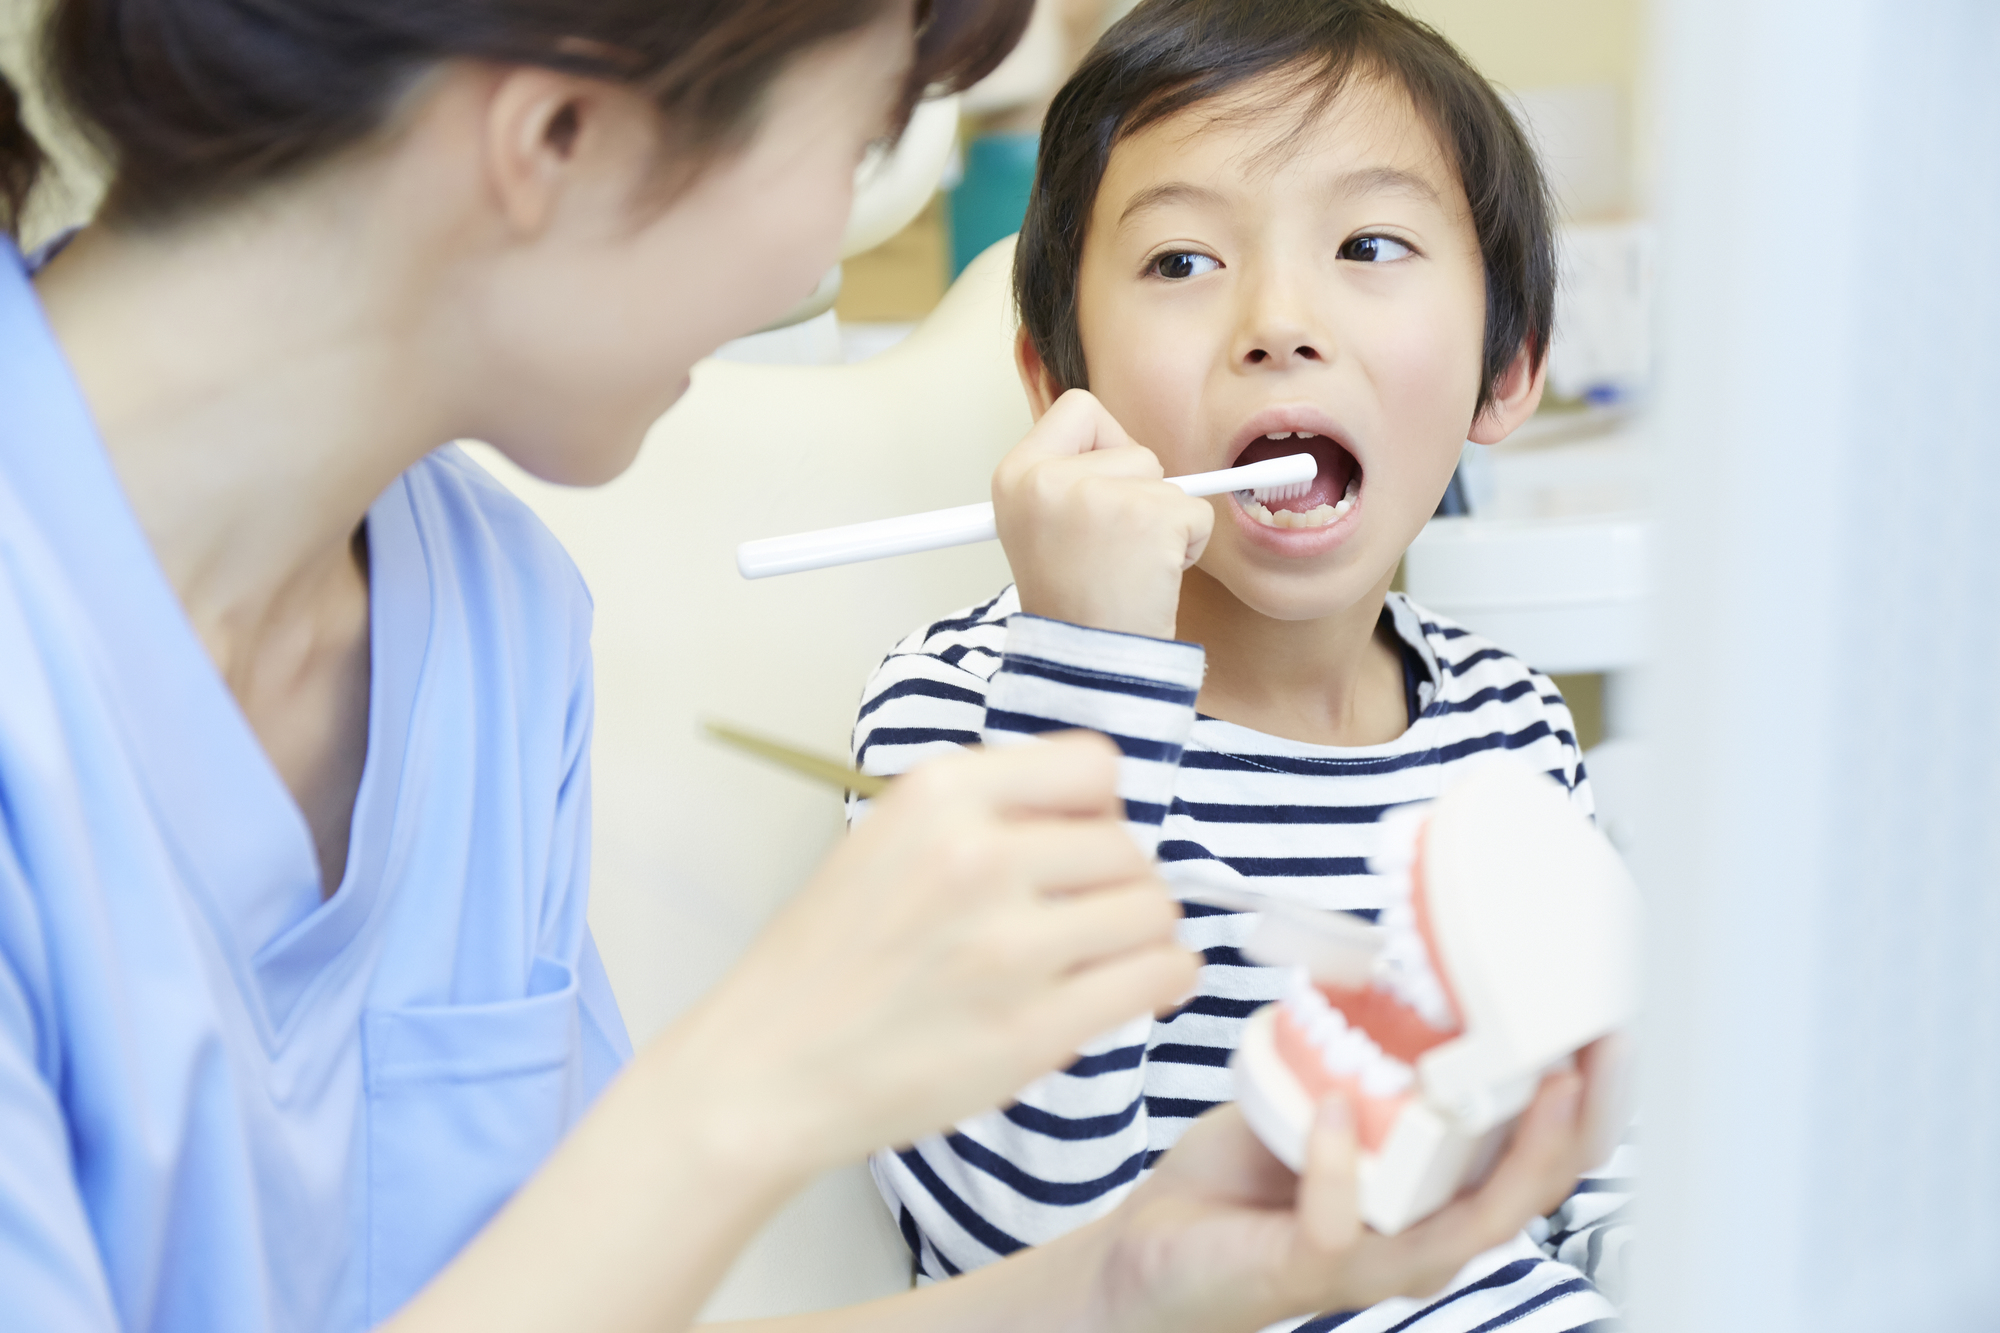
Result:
{"points": [[1327, 682]]}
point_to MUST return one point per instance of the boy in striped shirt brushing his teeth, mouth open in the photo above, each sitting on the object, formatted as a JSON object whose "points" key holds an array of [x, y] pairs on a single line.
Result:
{"points": [[1257, 229]]}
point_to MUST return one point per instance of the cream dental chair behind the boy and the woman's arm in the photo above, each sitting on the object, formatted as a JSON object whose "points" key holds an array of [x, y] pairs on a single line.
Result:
{"points": [[697, 846]]}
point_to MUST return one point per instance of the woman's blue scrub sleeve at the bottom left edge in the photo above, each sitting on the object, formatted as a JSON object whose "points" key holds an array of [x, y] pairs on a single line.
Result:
{"points": [[51, 1272]]}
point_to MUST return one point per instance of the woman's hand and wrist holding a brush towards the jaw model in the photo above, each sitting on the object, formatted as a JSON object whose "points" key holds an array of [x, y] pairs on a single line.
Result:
{"points": [[983, 922]]}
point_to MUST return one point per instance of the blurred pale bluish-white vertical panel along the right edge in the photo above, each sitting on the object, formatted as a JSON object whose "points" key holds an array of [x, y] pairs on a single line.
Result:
{"points": [[1823, 1084]]}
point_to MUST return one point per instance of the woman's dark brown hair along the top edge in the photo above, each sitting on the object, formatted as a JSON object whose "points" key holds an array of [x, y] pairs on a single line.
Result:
{"points": [[197, 99]]}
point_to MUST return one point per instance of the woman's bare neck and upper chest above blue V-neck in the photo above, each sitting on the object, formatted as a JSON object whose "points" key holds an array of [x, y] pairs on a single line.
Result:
{"points": [[259, 379]]}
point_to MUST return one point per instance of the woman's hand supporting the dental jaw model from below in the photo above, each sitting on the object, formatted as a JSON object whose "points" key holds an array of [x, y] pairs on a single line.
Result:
{"points": [[1223, 1236]]}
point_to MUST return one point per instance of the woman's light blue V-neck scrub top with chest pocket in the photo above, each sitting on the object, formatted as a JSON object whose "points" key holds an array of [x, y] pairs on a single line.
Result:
{"points": [[227, 1104]]}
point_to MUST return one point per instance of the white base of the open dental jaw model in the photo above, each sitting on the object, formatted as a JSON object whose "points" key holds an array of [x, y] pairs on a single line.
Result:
{"points": [[1531, 926]]}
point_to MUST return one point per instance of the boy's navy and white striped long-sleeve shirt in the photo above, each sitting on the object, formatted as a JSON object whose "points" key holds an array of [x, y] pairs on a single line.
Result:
{"points": [[1293, 820]]}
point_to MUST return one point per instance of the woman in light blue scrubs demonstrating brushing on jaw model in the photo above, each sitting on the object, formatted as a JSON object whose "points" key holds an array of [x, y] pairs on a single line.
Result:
{"points": [[301, 1022]]}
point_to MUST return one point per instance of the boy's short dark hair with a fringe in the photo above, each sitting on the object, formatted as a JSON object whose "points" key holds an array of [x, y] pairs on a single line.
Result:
{"points": [[1171, 55]]}
